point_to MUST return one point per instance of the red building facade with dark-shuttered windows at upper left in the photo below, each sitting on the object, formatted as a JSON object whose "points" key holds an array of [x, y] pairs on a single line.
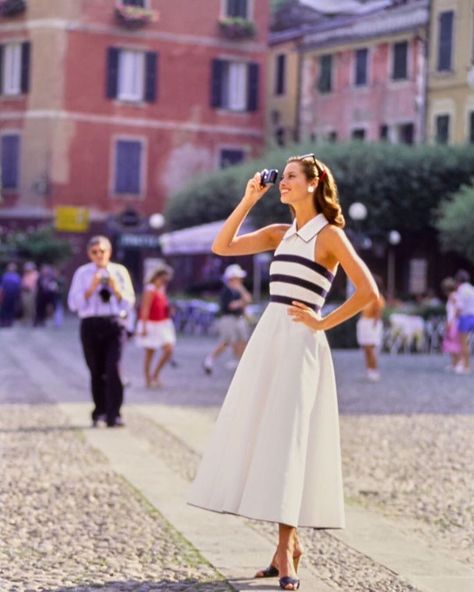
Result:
{"points": [[120, 113]]}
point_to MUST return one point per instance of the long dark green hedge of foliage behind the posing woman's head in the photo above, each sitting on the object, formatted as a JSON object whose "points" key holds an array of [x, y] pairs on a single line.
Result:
{"points": [[402, 186]]}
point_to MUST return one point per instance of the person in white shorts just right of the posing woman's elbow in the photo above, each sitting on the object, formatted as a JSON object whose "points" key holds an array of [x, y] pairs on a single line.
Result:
{"points": [[370, 332]]}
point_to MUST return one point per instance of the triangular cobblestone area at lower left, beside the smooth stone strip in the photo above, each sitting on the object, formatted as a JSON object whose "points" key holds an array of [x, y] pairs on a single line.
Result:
{"points": [[68, 522]]}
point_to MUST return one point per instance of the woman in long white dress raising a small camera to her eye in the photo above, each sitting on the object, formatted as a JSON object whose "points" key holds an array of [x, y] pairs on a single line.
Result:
{"points": [[275, 451]]}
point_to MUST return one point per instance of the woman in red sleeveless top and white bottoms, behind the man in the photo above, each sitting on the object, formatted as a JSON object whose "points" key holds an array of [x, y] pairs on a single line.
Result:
{"points": [[155, 329]]}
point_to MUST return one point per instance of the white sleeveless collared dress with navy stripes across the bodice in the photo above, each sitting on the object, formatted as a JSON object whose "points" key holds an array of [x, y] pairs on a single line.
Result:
{"points": [[275, 451]]}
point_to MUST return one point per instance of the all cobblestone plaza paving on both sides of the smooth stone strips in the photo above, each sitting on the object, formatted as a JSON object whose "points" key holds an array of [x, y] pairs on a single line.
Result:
{"points": [[406, 445]]}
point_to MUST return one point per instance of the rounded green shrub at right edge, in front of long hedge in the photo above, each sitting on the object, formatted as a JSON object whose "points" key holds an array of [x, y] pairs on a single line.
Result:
{"points": [[456, 223]]}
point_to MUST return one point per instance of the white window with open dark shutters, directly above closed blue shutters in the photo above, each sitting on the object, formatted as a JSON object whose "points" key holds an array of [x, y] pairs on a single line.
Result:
{"points": [[132, 76]]}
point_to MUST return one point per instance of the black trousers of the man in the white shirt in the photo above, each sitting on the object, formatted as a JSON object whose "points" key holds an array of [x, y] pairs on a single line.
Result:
{"points": [[102, 341]]}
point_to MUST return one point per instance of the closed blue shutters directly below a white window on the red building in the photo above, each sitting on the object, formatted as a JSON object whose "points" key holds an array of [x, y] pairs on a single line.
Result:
{"points": [[128, 167]]}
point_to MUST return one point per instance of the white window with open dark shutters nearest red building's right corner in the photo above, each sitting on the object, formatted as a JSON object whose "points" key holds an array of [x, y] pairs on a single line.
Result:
{"points": [[234, 85]]}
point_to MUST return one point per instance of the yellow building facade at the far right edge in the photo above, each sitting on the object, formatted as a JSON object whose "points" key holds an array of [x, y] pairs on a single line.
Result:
{"points": [[450, 117]]}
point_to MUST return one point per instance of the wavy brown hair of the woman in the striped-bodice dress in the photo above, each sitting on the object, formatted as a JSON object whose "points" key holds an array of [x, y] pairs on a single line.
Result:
{"points": [[326, 196]]}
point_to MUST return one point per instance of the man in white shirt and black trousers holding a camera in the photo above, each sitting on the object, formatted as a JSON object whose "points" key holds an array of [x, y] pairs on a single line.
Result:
{"points": [[102, 295]]}
